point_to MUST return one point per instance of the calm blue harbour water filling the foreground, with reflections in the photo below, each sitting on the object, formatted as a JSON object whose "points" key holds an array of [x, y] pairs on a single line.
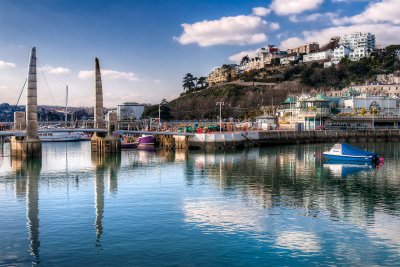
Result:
{"points": [[278, 205]]}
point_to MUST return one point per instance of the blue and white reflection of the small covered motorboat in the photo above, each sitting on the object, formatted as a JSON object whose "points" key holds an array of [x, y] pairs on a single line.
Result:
{"points": [[343, 169]]}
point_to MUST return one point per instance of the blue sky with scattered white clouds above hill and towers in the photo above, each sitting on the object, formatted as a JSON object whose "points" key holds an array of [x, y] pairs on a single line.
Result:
{"points": [[146, 47]]}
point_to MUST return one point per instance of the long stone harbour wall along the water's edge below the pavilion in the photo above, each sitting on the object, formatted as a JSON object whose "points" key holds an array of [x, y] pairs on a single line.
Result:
{"points": [[260, 138]]}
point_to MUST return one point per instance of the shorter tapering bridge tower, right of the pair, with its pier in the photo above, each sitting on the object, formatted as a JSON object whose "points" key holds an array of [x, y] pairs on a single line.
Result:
{"points": [[103, 142]]}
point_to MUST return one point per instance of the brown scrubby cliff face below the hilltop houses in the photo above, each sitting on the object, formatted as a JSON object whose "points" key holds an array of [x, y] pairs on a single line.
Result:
{"points": [[239, 101]]}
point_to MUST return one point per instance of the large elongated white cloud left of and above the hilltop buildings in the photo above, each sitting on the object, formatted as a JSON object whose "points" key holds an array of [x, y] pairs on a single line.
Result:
{"points": [[239, 30]]}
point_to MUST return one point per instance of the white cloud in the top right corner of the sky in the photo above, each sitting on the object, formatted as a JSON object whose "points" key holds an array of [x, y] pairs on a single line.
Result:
{"points": [[376, 12]]}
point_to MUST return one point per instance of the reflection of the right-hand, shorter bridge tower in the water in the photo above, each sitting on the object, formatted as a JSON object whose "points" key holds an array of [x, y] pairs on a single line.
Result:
{"points": [[104, 165]]}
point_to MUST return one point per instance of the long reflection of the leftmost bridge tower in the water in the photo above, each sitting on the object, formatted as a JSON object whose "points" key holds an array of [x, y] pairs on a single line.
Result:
{"points": [[27, 174]]}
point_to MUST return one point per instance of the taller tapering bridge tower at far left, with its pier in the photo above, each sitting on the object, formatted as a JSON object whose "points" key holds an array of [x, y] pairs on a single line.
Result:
{"points": [[29, 145]]}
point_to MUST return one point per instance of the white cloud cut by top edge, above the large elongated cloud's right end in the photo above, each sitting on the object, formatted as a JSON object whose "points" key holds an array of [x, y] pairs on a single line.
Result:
{"points": [[288, 7]]}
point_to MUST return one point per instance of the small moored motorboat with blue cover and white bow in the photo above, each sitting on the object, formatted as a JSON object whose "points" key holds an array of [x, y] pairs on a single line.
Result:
{"points": [[346, 152]]}
